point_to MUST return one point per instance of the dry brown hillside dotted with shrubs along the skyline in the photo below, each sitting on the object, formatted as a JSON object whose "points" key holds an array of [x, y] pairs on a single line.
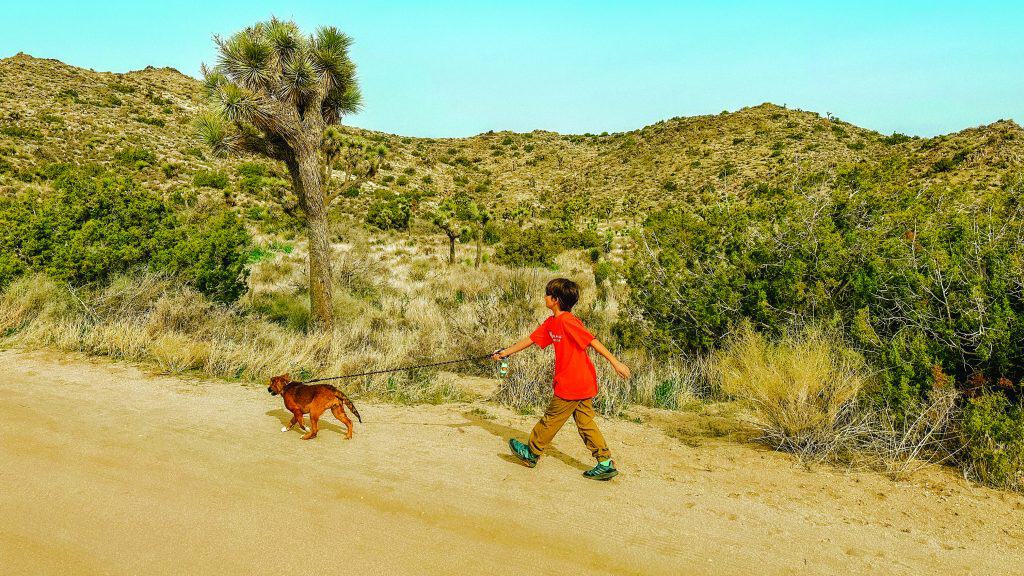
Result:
{"points": [[142, 122]]}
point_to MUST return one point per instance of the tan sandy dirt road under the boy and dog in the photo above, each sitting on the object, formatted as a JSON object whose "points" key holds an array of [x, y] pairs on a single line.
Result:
{"points": [[107, 470]]}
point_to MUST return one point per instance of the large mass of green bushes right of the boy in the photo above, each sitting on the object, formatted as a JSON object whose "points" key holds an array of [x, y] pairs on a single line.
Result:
{"points": [[919, 278]]}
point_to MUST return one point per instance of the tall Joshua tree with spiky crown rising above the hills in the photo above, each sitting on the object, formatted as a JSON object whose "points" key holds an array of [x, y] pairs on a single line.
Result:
{"points": [[279, 94]]}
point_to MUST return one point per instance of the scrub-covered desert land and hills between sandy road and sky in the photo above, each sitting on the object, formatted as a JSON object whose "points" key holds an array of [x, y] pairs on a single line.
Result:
{"points": [[861, 297]]}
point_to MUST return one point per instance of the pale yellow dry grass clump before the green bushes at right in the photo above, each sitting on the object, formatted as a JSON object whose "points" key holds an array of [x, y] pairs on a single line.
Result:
{"points": [[800, 390]]}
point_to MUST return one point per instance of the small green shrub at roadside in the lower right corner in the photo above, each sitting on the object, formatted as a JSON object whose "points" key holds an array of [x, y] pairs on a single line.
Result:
{"points": [[993, 432]]}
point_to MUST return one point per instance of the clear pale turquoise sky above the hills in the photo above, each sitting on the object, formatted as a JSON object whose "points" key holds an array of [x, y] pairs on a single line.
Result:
{"points": [[451, 69]]}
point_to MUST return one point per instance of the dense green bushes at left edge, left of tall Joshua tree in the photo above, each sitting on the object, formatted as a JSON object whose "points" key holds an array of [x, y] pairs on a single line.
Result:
{"points": [[89, 228]]}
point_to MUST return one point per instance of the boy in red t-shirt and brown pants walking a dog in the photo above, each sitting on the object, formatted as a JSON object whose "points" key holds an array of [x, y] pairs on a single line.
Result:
{"points": [[575, 380]]}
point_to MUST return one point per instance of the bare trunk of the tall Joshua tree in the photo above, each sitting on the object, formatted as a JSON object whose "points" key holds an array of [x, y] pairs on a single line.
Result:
{"points": [[306, 174]]}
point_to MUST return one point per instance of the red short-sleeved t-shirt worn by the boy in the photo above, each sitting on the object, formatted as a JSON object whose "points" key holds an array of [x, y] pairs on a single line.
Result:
{"points": [[576, 378]]}
